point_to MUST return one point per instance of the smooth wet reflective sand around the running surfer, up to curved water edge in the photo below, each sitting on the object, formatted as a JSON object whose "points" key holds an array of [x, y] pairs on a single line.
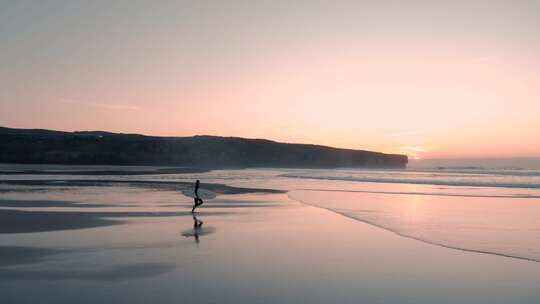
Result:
{"points": [[253, 248]]}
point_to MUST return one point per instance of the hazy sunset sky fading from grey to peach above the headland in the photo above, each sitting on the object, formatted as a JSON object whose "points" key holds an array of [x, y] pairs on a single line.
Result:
{"points": [[430, 79]]}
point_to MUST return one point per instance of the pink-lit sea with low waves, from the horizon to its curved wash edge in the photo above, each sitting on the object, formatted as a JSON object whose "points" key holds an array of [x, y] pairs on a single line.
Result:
{"points": [[495, 220]]}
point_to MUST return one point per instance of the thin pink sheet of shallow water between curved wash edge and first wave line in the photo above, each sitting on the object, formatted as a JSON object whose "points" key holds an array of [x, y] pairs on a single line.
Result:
{"points": [[493, 225]]}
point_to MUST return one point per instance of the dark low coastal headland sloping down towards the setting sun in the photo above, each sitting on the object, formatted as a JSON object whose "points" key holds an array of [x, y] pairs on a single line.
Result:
{"points": [[37, 146]]}
